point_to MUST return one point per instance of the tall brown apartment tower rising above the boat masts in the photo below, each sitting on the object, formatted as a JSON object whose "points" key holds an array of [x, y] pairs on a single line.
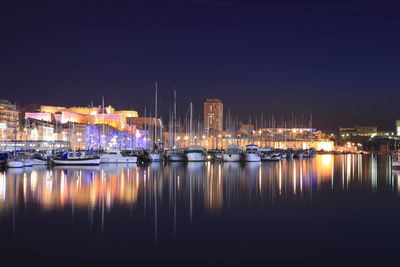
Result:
{"points": [[213, 115]]}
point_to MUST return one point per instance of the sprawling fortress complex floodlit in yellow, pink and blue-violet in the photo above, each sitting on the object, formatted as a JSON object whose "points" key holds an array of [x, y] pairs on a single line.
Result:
{"points": [[84, 127]]}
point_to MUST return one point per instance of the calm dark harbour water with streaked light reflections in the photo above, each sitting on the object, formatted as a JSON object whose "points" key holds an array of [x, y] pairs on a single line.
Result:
{"points": [[330, 210]]}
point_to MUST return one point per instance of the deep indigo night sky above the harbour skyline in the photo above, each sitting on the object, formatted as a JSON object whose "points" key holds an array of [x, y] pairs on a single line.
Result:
{"points": [[339, 60]]}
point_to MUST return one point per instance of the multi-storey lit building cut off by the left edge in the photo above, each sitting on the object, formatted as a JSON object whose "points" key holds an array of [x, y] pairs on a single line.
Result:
{"points": [[8, 120]]}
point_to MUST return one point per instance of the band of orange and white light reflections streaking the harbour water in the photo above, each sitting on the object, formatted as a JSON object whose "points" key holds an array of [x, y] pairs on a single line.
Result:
{"points": [[192, 187]]}
